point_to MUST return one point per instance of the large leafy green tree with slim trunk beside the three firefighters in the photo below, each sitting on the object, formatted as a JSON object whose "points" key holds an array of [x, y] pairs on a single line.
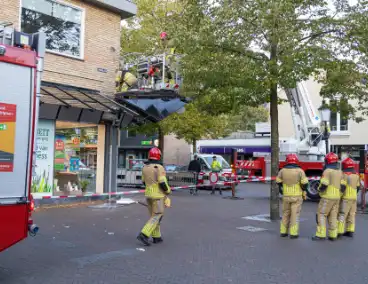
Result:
{"points": [[246, 50]]}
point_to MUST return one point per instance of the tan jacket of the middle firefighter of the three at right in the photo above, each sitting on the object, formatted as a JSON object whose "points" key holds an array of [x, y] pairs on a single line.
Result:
{"points": [[333, 179]]}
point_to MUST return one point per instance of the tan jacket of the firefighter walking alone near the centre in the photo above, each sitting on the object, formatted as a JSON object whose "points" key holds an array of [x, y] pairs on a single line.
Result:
{"points": [[152, 175]]}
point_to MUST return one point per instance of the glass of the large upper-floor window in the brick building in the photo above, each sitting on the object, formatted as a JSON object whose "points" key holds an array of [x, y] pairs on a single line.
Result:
{"points": [[62, 24]]}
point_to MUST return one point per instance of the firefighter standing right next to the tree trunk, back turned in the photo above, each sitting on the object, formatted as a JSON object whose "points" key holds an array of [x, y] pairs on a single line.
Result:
{"points": [[293, 185]]}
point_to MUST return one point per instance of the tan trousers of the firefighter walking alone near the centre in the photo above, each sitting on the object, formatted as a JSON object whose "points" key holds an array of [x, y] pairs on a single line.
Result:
{"points": [[156, 211]]}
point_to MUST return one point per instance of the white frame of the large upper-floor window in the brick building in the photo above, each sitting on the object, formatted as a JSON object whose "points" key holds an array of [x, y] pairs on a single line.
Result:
{"points": [[83, 26]]}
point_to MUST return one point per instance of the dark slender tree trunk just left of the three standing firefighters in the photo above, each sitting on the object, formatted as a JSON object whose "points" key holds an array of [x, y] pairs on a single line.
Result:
{"points": [[274, 198]]}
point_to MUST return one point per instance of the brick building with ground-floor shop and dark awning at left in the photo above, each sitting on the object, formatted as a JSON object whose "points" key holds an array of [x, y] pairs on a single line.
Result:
{"points": [[82, 57]]}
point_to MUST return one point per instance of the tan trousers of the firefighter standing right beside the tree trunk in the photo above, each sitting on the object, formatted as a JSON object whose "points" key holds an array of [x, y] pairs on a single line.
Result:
{"points": [[291, 207]]}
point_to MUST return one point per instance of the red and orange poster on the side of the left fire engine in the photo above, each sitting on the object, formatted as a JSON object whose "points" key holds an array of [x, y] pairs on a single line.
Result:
{"points": [[7, 136]]}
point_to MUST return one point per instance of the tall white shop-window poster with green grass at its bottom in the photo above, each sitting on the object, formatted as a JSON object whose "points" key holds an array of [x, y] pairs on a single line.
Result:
{"points": [[44, 172]]}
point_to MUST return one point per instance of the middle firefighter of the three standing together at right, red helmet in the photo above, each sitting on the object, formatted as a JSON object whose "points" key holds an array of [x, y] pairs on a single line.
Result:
{"points": [[330, 192]]}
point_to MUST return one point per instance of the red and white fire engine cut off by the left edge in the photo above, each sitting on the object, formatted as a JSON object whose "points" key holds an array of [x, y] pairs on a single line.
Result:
{"points": [[21, 65]]}
